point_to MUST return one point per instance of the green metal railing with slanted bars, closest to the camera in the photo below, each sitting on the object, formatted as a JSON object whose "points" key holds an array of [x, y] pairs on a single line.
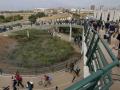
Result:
{"points": [[100, 61]]}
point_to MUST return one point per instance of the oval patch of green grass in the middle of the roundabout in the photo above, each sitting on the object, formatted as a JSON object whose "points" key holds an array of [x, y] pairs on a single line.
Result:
{"points": [[41, 49]]}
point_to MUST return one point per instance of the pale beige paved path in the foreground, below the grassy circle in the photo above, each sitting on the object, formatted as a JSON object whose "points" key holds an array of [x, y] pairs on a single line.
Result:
{"points": [[61, 79]]}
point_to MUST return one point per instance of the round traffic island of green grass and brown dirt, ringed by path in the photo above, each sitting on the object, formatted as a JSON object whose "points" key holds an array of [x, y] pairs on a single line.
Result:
{"points": [[33, 50]]}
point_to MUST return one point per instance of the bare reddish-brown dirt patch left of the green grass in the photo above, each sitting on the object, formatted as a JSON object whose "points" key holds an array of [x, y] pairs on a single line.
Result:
{"points": [[6, 45]]}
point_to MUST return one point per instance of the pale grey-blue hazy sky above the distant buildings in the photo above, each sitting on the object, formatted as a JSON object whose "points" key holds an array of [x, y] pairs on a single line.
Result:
{"points": [[31, 4]]}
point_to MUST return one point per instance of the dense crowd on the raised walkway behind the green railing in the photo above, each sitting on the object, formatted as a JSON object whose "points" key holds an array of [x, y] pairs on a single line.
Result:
{"points": [[111, 29]]}
